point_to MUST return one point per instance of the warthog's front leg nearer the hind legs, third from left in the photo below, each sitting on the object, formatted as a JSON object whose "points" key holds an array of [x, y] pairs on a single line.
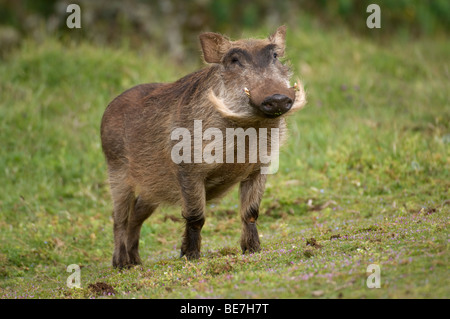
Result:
{"points": [[193, 202]]}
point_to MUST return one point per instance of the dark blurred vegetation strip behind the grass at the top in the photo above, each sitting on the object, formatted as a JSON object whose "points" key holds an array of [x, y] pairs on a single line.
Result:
{"points": [[172, 26]]}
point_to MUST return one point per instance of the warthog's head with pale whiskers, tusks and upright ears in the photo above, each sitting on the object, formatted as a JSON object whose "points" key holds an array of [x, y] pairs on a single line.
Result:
{"points": [[254, 82]]}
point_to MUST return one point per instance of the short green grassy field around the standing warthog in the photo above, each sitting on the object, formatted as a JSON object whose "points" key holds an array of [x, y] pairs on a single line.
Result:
{"points": [[364, 179]]}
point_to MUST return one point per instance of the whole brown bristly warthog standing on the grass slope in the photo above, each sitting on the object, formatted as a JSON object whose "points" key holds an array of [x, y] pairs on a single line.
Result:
{"points": [[244, 86]]}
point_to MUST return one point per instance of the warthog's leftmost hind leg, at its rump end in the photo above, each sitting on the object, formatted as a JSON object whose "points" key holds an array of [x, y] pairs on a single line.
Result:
{"points": [[124, 199]]}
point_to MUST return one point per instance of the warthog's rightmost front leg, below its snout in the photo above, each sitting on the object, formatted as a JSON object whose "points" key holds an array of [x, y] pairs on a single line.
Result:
{"points": [[251, 191]]}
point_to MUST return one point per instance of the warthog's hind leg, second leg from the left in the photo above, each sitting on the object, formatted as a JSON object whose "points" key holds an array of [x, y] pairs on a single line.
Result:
{"points": [[141, 212]]}
